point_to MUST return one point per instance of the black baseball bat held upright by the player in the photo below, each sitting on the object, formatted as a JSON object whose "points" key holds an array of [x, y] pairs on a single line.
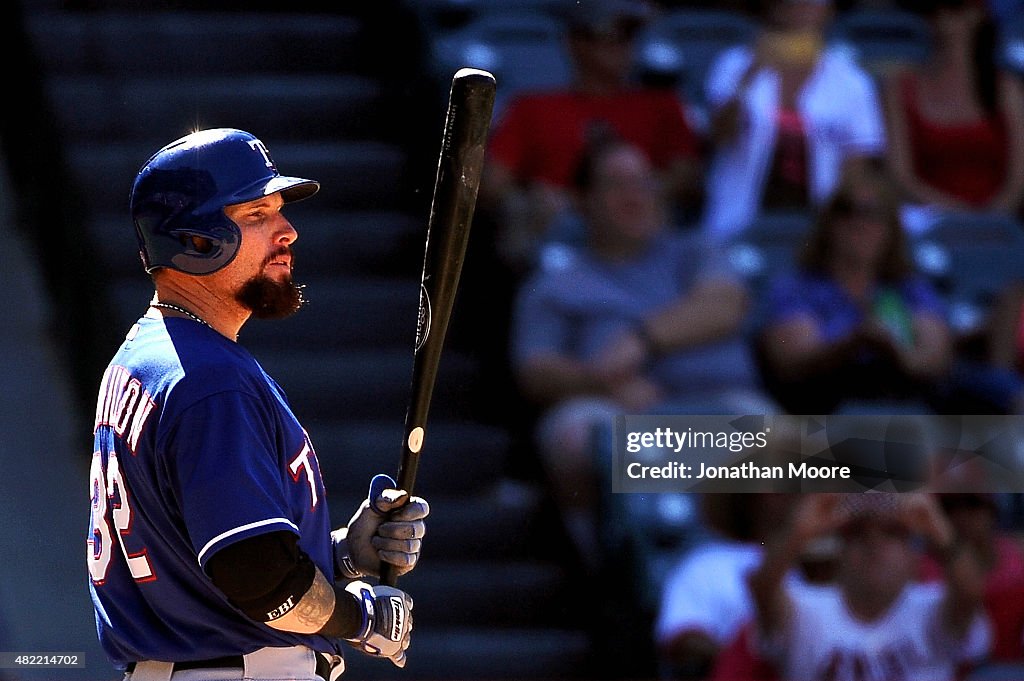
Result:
{"points": [[472, 102]]}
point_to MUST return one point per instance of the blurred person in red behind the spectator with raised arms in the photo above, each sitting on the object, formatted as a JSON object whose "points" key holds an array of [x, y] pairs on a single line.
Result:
{"points": [[975, 519]]}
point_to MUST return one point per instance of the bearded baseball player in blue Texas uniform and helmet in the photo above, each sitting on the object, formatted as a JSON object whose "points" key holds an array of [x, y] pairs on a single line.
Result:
{"points": [[210, 550]]}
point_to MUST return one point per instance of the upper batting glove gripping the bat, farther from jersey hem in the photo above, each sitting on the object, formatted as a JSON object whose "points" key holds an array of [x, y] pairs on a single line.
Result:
{"points": [[389, 527]]}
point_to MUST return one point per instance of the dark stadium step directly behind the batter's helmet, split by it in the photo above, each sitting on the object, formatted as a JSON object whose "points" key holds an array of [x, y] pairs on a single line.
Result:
{"points": [[361, 175]]}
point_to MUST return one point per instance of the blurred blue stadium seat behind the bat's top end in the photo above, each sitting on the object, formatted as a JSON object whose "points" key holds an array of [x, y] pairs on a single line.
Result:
{"points": [[525, 51]]}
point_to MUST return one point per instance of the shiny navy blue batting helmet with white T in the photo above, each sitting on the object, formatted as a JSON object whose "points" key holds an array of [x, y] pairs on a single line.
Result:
{"points": [[179, 198]]}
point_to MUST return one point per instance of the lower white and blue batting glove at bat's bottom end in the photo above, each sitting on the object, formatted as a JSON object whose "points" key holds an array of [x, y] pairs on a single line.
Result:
{"points": [[388, 622]]}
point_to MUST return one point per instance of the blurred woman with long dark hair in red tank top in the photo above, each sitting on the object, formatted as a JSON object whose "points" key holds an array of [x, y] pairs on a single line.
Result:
{"points": [[956, 122]]}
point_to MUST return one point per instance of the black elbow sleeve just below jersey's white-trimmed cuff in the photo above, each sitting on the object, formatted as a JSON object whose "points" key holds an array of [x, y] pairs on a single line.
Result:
{"points": [[261, 574]]}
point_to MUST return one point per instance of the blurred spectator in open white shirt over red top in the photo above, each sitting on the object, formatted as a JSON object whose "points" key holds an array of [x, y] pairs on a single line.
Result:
{"points": [[789, 114]]}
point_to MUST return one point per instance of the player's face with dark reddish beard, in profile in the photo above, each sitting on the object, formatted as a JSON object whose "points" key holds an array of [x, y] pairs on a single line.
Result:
{"points": [[262, 273]]}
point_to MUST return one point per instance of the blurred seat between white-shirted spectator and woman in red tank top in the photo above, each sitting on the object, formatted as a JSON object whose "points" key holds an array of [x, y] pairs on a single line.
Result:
{"points": [[882, 39]]}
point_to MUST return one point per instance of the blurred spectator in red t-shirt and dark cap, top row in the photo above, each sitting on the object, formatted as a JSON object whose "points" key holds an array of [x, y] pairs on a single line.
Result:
{"points": [[537, 141]]}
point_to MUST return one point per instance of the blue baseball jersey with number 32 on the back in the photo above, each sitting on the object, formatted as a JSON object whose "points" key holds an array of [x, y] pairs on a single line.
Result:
{"points": [[195, 448]]}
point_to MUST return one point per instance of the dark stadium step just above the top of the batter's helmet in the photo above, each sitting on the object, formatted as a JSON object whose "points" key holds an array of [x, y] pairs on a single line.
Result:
{"points": [[296, 107]]}
